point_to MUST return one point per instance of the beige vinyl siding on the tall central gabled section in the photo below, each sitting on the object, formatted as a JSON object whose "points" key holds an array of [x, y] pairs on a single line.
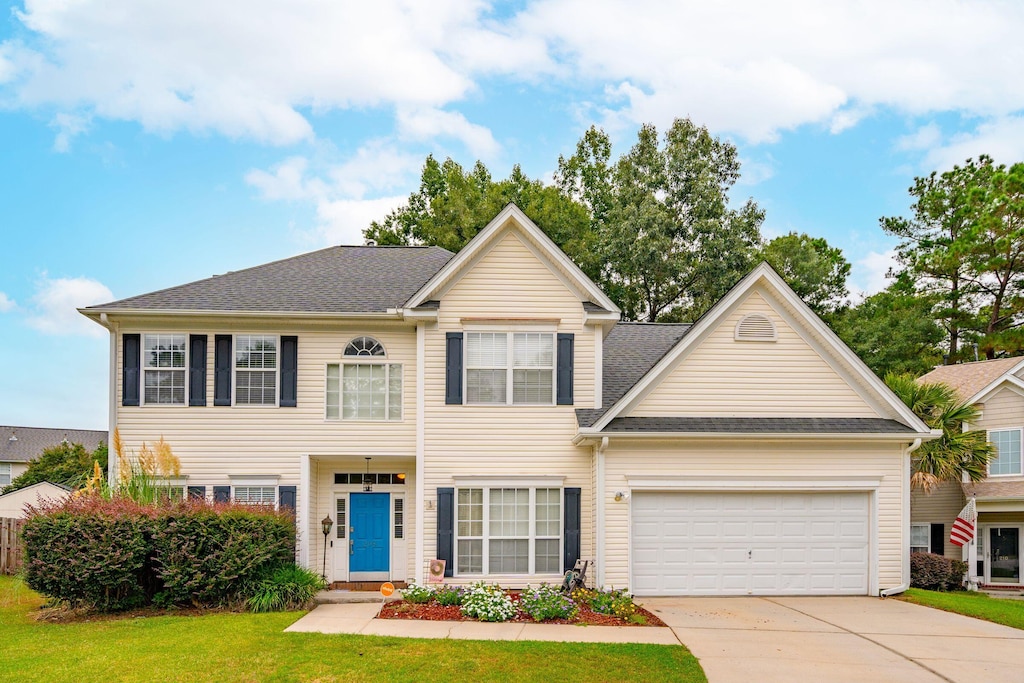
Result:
{"points": [[509, 282]]}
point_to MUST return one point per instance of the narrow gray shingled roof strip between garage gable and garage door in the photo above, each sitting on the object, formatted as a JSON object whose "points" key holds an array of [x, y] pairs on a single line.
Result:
{"points": [[760, 425]]}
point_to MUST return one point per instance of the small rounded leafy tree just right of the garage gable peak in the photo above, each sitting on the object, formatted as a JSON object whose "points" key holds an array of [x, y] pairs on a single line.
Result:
{"points": [[817, 272]]}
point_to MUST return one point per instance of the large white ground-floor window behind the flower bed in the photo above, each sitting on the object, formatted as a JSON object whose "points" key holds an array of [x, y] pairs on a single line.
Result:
{"points": [[508, 531]]}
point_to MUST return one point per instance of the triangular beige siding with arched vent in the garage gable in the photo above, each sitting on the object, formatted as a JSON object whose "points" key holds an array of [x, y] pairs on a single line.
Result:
{"points": [[724, 377]]}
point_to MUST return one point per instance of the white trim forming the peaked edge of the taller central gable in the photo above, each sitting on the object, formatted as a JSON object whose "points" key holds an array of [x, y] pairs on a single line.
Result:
{"points": [[514, 220]]}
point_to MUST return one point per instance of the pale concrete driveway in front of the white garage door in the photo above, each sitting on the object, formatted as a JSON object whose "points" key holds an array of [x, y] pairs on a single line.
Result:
{"points": [[840, 639]]}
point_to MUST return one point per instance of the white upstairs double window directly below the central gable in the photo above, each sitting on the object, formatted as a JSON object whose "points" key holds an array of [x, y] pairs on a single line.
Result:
{"points": [[510, 368]]}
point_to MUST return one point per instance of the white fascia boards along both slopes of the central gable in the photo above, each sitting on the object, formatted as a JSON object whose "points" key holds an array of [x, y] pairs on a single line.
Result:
{"points": [[484, 239]]}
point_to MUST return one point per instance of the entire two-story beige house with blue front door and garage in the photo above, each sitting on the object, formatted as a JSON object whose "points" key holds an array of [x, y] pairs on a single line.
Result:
{"points": [[490, 410]]}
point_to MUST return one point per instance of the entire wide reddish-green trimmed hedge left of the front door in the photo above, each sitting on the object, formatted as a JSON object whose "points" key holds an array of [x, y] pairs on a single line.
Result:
{"points": [[117, 554]]}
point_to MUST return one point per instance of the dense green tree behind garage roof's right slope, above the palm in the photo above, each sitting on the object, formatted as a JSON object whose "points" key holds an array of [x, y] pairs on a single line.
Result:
{"points": [[893, 331]]}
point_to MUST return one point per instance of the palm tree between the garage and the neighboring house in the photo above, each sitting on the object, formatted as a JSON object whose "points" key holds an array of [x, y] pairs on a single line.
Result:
{"points": [[959, 453]]}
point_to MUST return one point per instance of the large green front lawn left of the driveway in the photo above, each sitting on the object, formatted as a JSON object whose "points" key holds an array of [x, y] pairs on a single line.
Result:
{"points": [[254, 648]]}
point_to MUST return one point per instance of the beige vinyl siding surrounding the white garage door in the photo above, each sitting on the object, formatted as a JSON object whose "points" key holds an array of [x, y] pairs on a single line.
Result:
{"points": [[752, 460]]}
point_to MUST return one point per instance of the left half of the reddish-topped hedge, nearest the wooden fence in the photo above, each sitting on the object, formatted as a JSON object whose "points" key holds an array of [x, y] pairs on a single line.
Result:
{"points": [[91, 553]]}
